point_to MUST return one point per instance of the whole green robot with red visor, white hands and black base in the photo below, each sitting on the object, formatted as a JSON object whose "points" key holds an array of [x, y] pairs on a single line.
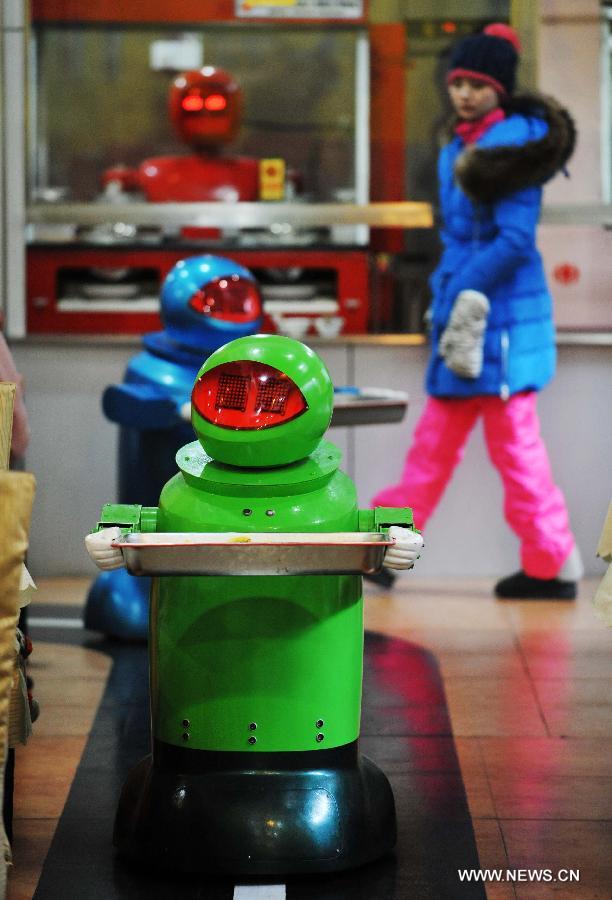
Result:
{"points": [[256, 678]]}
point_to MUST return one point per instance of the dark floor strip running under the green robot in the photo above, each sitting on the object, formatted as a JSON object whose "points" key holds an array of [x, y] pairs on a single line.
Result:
{"points": [[406, 730]]}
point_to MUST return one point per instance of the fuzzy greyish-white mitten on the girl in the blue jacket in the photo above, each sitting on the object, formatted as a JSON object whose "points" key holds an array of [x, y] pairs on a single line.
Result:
{"points": [[461, 344]]}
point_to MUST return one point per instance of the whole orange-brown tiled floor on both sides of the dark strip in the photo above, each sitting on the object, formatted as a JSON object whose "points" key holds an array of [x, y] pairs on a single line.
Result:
{"points": [[528, 689]]}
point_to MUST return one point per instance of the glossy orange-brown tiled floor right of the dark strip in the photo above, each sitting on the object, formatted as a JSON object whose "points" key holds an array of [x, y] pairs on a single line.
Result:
{"points": [[529, 692]]}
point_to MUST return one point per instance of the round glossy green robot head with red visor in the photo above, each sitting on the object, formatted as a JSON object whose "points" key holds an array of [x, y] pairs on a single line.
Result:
{"points": [[261, 401]]}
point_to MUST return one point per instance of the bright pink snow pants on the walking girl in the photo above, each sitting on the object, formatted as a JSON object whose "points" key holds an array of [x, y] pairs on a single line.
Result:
{"points": [[534, 506]]}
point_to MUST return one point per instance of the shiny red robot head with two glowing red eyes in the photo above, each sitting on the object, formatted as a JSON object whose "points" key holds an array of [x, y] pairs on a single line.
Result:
{"points": [[205, 107]]}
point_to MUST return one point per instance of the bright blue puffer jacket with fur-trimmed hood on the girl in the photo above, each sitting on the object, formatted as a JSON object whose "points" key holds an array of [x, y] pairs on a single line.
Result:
{"points": [[490, 246]]}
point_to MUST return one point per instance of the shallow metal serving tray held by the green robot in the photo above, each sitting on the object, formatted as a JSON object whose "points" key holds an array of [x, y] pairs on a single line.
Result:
{"points": [[234, 553]]}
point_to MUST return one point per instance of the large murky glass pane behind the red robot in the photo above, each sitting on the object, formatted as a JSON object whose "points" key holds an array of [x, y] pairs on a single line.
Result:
{"points": [[98, 102]]}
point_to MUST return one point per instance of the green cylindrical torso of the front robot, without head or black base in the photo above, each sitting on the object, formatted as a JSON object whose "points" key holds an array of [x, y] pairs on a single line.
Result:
{"points": [[257, 663]]}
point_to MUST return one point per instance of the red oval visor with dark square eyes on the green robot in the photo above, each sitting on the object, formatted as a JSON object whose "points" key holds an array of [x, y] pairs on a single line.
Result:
{"points": [[247, 395]]}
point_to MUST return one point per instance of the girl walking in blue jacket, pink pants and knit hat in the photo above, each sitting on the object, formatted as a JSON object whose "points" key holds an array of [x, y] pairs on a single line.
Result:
{"points": [[492, 334]]}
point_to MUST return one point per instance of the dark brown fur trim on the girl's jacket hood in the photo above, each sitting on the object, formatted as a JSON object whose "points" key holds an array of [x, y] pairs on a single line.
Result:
{"points": [[488, 174]]}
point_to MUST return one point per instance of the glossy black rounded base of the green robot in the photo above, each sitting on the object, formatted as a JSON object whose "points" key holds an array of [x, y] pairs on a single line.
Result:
{"points": [[240, 813]]}
